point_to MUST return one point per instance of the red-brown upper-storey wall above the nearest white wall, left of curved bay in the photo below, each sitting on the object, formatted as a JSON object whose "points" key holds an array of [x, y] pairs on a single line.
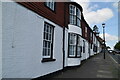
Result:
{"points": [[56, 16]]}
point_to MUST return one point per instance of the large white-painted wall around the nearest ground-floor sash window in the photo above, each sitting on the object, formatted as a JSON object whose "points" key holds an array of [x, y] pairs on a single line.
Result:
{"points": [[23, 41]]}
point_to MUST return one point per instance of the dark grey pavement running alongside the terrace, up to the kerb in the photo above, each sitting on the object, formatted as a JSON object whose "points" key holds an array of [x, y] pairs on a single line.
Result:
{"points": [[94, 67]]}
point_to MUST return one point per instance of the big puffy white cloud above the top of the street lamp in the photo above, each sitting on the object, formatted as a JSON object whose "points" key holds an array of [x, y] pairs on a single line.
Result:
{"points": [[99, 16]]}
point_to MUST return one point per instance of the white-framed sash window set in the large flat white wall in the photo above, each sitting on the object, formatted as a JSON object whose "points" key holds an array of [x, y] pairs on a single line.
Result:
{"points": [[48, 39]]}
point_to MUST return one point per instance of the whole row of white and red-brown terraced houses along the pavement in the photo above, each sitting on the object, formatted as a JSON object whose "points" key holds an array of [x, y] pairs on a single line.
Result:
{"points": [[40, 38]]}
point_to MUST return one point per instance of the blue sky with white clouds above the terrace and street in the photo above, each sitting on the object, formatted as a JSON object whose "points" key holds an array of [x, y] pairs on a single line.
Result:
{"points": [[97, 12]]}
